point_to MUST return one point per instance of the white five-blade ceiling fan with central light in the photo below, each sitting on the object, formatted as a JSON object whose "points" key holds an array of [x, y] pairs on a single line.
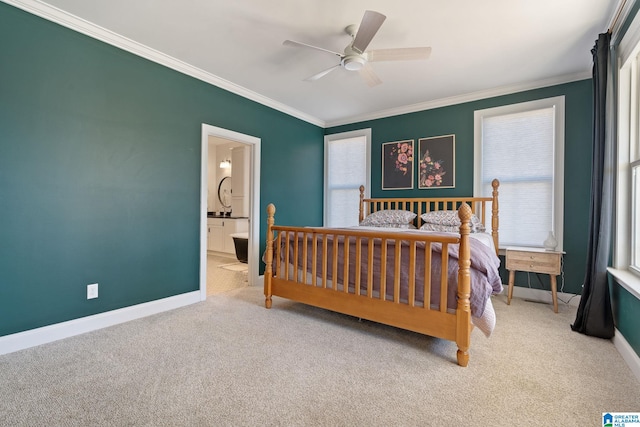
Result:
{"points": [[355, 56]]}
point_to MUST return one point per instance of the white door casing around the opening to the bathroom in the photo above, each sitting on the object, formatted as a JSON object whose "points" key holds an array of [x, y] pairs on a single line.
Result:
{"points": [[253, 144]]}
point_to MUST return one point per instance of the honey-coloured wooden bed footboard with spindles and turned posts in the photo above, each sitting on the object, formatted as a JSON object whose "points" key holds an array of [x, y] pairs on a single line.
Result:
{"points": [[402, 279]]}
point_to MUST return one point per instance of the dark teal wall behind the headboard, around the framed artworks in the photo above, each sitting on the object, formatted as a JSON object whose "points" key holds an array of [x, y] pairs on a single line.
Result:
{"points": [[458, 120]]}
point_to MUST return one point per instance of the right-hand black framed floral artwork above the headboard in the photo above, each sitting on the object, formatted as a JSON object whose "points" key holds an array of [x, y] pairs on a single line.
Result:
{"points": [[437, 162]]}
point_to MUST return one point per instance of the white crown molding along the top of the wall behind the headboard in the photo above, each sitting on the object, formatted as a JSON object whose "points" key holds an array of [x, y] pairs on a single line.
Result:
{"points": [[460, 99]]}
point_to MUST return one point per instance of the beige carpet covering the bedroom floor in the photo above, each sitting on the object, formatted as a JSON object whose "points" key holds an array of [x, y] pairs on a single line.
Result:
{"points": [[228, 361]]}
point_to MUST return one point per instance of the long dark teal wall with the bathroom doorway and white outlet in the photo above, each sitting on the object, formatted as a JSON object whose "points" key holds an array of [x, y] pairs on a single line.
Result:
{"points": [[100, 172]]}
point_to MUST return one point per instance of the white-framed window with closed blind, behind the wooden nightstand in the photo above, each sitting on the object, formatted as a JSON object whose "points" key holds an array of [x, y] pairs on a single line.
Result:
{"points": [[522, 145]]}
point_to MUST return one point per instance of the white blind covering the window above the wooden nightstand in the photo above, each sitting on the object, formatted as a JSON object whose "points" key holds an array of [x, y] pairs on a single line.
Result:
{"points": [[518, 149]]}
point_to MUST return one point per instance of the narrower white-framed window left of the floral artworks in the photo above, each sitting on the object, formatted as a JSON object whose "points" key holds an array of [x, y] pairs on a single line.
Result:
{"points": [[346, 168]]}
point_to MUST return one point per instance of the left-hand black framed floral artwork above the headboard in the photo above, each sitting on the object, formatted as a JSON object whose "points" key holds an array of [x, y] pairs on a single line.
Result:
{"points": [[397, 165]]}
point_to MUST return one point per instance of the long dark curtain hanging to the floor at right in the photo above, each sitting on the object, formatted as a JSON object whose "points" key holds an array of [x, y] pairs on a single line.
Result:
{"points": [[594, 315]]}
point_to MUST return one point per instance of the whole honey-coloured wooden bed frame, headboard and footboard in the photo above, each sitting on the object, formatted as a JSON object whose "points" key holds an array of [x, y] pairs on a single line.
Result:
{"points": [[314, 288]]}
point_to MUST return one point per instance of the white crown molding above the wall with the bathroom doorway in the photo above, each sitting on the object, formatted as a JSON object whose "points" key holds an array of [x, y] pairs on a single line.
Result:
{"points": [[87, 28]]}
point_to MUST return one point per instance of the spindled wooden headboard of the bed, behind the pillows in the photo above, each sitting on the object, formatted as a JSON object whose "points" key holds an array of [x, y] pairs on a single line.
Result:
{"points": [[422, 205]]}
